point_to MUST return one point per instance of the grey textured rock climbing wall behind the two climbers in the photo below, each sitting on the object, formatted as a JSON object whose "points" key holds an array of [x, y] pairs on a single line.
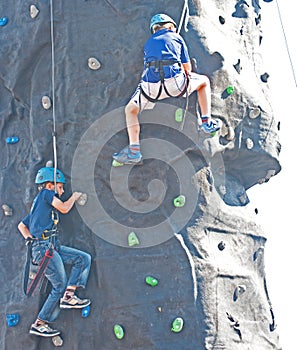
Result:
{"points": [[207, 255]]}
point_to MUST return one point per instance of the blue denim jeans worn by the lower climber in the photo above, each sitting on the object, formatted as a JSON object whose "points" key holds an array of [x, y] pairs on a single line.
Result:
{"points": [[55, 273]]}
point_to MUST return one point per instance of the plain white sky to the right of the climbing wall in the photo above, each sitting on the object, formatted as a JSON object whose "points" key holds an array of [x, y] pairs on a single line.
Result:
{"points": [[276, 200]]}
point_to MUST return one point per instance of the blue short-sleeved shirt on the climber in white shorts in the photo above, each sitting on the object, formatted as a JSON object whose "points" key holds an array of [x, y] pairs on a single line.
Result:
{"points": [[164, 45]]}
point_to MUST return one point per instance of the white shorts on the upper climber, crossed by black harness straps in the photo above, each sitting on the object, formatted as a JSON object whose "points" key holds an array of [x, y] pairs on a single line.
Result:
{"points": [[173, 85]]}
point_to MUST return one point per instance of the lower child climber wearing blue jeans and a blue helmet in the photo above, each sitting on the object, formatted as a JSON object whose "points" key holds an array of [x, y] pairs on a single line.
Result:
{"points": [[39, 228]]}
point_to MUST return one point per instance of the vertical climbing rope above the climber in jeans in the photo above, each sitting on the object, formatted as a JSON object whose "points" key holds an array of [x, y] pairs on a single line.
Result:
{"points": [[54, 133]]}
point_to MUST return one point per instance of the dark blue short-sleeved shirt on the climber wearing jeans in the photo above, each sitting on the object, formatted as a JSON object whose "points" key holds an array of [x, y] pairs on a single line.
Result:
{"points": [[40, 216]]}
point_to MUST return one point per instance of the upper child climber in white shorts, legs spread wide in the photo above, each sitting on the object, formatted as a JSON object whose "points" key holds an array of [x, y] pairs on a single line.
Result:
{"points": [[167, 73]]}
